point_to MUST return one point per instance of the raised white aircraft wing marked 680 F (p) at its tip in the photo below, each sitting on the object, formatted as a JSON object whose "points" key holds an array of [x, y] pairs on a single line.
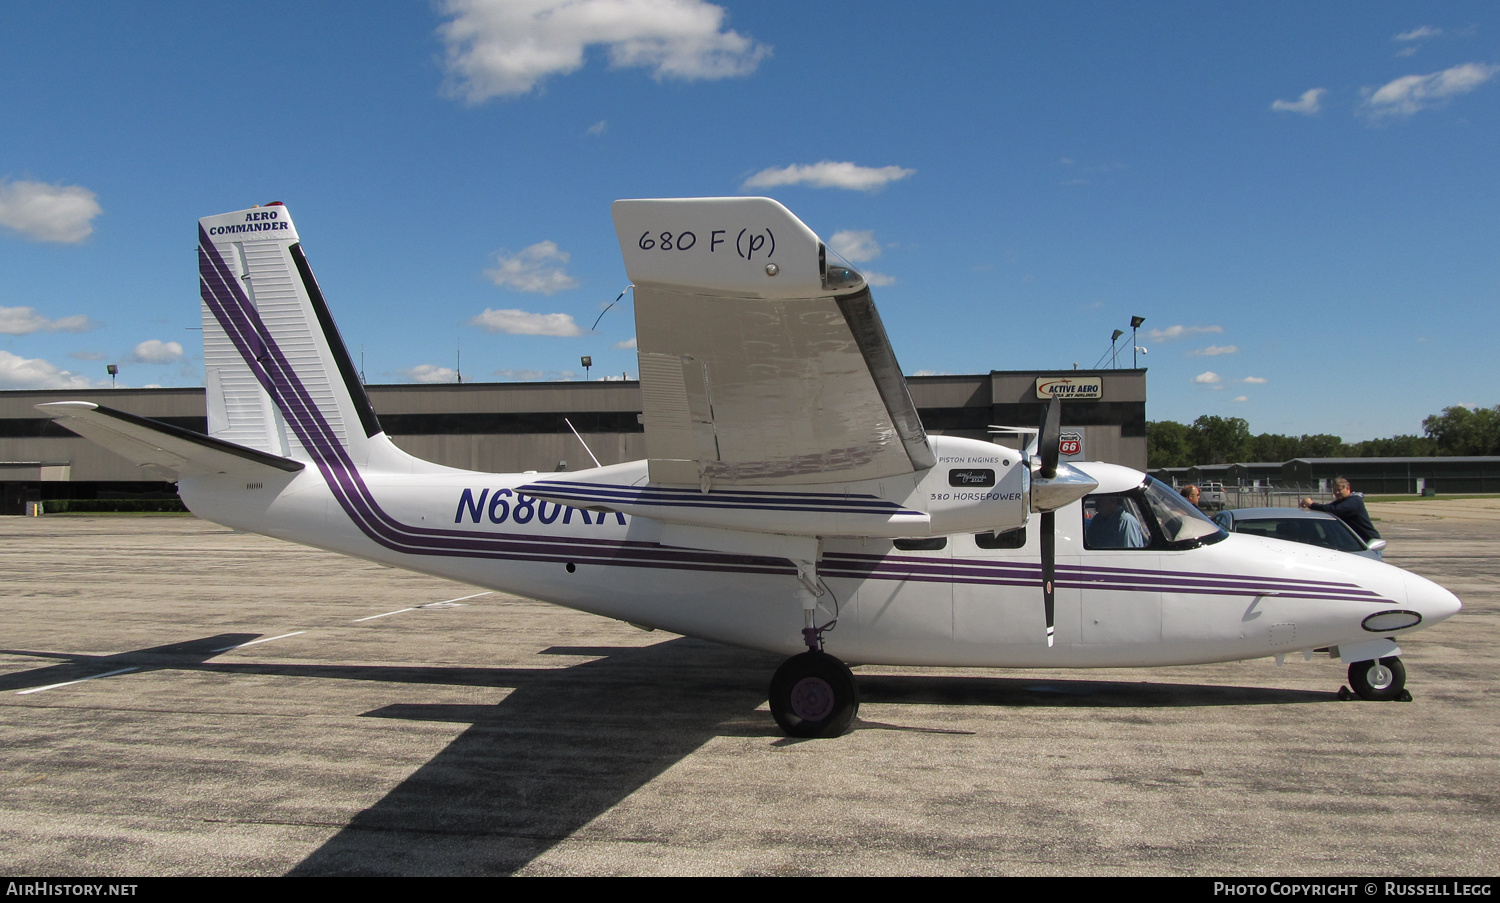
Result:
{"points": [[763, 358]]}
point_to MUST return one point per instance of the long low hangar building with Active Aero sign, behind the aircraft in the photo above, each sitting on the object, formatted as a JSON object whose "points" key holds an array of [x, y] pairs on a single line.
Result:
{"points": [[524, 427]]}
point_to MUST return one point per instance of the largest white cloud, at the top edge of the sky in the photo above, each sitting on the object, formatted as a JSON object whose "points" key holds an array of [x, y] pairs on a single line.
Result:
{"points": [[508, 47]]}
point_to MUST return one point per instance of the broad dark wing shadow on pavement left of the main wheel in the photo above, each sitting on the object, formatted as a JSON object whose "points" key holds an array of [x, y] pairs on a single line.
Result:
{"points": [[562, 749]]}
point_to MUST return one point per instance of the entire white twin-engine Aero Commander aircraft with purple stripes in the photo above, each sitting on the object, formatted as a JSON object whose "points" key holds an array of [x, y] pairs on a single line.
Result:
{"points": [[791, 499]]}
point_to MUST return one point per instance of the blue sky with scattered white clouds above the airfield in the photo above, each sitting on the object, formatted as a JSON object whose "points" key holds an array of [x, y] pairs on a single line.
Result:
{"points": [[1300, 199]]}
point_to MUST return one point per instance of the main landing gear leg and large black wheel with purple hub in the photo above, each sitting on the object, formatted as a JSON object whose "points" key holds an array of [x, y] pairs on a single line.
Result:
{"points": [[814, 694]]}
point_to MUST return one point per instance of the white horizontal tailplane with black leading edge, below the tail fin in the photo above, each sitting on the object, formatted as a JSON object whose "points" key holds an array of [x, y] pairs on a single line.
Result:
{"points": [[164, 451]]}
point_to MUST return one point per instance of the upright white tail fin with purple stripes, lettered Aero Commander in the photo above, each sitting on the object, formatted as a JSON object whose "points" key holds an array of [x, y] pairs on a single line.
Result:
{"points": [[278, 376]]}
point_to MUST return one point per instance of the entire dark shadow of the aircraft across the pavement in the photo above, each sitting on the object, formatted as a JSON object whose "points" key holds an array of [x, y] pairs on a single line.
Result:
{"points": [[571, 743]]}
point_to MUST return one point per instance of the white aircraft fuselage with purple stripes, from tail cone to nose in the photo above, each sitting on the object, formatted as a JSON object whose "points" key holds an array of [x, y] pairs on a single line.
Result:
{"points": [[961, 605]]}
